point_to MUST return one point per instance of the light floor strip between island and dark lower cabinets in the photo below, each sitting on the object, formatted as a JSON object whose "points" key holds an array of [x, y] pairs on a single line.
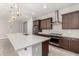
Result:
{"points": [[55, 51]]}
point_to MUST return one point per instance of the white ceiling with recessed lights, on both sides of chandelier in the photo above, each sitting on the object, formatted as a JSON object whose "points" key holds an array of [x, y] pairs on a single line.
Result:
{"points": [[33, 9]]}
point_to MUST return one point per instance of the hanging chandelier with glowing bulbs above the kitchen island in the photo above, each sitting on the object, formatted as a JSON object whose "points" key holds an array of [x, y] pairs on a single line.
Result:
{"points": [[14, 13]]}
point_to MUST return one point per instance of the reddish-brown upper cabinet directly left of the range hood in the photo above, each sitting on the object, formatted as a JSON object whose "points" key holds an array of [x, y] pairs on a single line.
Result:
{"points": [[46, 23]]}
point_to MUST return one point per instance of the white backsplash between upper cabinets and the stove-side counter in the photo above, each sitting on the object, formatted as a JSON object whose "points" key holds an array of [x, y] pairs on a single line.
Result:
{"points": [[58, 29]]}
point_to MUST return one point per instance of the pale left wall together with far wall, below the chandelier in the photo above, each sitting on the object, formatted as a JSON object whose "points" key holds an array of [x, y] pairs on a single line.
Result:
{"points": [[6, 27]]}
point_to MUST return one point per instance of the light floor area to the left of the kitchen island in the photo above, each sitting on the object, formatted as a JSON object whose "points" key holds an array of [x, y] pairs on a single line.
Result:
{"points": [[6, 48]]}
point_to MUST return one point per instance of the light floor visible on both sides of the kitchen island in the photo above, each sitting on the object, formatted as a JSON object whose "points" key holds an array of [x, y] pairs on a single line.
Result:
{"points": [[6, 49]]}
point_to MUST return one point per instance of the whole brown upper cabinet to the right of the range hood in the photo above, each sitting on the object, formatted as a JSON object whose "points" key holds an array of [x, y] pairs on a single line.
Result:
{"points": [[70, 20]]}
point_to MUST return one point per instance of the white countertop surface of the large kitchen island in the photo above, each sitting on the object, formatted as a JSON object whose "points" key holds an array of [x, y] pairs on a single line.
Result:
{"points": [[20, 41]]}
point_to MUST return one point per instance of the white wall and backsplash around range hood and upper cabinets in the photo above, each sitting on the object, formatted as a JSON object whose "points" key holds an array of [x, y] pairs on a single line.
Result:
{"points": [[58, 28]]}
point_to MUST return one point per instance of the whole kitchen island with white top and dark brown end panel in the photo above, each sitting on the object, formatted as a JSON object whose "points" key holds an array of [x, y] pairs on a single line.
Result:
{"points": [[29, 45]]}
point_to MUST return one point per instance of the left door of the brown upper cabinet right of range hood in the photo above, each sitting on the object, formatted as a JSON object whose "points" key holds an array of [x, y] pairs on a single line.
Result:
{"points": [[67, 21]]}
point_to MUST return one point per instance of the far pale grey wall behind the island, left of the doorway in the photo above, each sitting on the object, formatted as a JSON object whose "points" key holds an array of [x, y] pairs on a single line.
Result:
{"points": [[16, 27]]}
